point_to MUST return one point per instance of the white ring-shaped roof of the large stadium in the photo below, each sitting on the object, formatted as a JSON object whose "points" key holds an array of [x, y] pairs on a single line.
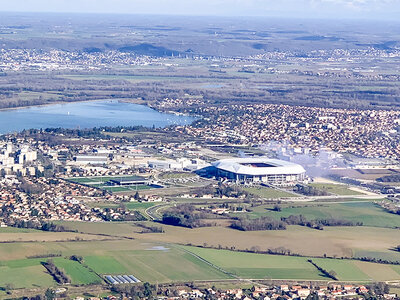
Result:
{"points": [[244, 166]]}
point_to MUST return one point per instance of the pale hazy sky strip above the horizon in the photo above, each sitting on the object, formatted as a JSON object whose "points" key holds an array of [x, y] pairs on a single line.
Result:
{"points": [[384, 9]]}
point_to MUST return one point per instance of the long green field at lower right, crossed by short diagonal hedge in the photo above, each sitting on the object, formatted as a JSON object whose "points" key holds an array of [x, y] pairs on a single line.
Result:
{"points": [[250, 265]]}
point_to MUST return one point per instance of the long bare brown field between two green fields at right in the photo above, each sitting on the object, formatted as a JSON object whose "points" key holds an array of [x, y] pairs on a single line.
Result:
{"points": [[339, 241]]}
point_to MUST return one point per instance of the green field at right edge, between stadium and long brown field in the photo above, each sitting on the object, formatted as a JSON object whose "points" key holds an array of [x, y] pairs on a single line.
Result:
{"points": [[366, 212]]}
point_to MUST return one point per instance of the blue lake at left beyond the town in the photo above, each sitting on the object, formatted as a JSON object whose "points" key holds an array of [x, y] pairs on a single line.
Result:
{"points": [[86, 115]]}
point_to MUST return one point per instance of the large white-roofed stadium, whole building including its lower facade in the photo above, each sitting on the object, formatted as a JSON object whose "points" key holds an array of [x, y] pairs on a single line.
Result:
{"points": [[259, 169]]}
